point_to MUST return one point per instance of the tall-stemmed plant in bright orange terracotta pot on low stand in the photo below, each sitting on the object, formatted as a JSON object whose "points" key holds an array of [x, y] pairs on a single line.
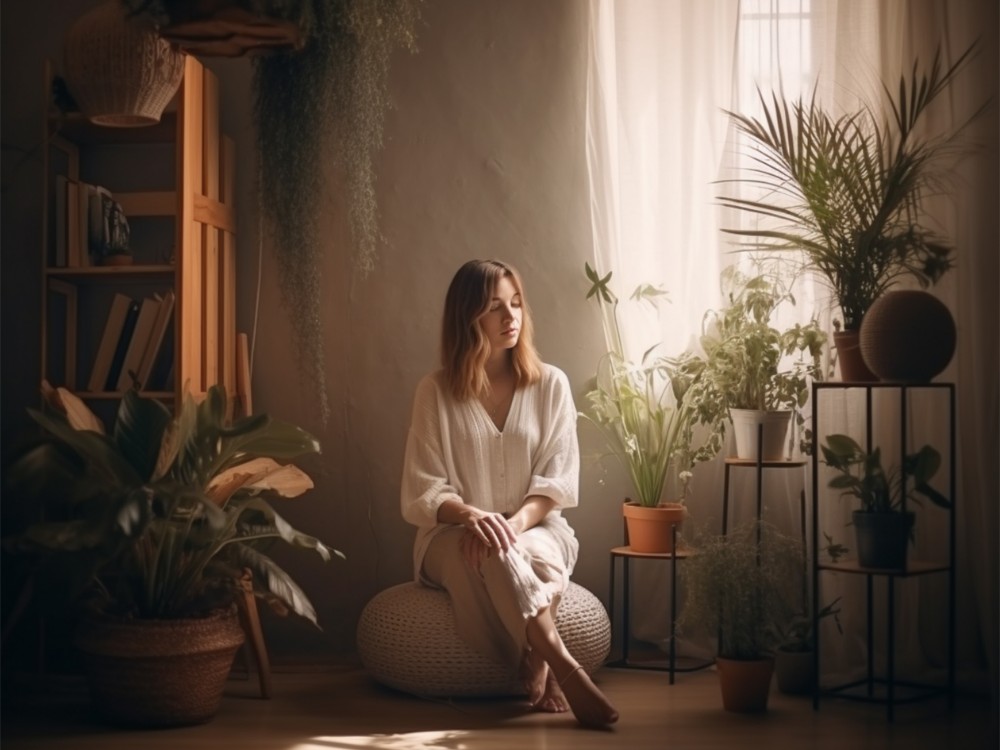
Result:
{"points": [[647, 423]]}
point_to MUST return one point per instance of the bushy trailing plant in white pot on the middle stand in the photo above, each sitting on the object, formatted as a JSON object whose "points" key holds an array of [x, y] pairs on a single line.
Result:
{"points": [[744, 366]]}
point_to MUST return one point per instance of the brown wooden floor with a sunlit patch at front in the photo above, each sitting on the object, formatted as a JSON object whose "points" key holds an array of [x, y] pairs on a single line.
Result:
{"points": [[341, 709]]}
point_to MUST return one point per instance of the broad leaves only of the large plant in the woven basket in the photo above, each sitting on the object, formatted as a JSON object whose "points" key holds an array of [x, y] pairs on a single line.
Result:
{"points": [[161, 517]]}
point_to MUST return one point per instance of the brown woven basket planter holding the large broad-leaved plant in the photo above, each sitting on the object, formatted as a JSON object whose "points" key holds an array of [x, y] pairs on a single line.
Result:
{"points": [[159, 673]]}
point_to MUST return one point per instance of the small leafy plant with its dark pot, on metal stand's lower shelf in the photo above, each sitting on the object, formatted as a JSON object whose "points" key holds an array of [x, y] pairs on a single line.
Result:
{"points": [[882, 524]]}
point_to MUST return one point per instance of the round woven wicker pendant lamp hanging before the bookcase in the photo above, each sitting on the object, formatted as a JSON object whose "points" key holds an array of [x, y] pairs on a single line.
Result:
{"points": [[119, 70]]}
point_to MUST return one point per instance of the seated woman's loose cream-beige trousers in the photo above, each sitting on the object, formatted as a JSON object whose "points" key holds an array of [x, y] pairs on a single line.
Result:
{"points": [[493, 604]]}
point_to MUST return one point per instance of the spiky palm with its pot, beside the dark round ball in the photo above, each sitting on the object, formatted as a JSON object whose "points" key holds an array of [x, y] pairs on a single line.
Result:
{"points": [[845, 192]]}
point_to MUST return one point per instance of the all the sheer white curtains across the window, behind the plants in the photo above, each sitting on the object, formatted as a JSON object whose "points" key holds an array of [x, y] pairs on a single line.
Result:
{"points": [[661, 74]]}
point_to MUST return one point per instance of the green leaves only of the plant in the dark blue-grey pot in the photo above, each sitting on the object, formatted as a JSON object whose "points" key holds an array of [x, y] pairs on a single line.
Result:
{"points": [[860, 474]]}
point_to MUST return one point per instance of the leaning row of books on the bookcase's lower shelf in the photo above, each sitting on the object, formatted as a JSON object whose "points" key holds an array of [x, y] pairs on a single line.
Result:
{"points": [[135, 349]]}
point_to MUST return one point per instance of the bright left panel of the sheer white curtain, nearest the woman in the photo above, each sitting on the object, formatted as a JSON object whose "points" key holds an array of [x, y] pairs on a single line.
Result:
{"points": [[659, 72]]}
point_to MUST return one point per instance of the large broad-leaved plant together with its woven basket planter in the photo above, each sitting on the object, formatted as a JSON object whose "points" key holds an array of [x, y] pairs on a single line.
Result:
{"points": [[153, 532]]}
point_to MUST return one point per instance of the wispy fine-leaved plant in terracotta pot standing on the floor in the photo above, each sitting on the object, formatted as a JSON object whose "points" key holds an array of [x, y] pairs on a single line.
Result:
{"points": [[743, 586]]}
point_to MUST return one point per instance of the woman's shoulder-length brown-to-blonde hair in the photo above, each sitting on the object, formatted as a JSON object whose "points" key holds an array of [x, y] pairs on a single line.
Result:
{"points": [[464, 348]]}
